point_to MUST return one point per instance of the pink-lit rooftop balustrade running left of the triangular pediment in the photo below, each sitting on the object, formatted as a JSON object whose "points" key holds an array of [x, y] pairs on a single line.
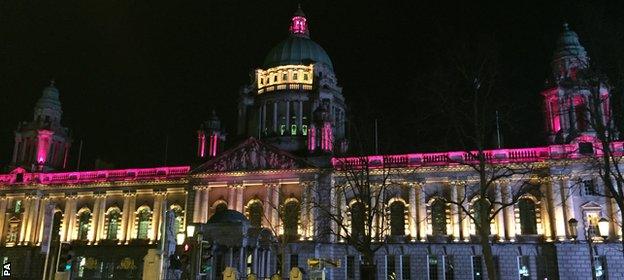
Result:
{"points": [[175, 172]]}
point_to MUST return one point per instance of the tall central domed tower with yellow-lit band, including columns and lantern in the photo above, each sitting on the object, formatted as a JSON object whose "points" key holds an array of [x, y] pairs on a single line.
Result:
{"points": [[297, 77]]}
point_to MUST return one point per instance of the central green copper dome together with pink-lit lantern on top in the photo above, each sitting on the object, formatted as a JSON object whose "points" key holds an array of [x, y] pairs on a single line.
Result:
{"points": [[298, 48]]}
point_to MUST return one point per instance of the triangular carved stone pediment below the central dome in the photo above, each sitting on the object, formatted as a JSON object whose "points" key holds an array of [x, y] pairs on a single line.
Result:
{"points": [[252, 155]]}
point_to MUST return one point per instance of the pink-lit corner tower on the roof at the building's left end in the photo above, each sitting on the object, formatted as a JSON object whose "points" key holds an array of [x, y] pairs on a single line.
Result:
{"points": [[43, 143]]}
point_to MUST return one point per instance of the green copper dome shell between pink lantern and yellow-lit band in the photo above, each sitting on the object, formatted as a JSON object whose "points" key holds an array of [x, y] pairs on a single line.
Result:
{"points": [[297, 50]]}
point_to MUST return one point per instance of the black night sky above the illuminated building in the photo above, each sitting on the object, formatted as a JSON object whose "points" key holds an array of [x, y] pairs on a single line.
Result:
{"points": [[132, 72]]}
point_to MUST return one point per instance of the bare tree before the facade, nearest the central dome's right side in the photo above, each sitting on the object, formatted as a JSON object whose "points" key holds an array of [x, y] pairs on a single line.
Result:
{"points": [[356, 210]]}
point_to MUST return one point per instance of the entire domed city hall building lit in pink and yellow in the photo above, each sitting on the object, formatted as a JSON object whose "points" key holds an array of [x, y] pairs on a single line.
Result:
{"points": [[287, 199]]}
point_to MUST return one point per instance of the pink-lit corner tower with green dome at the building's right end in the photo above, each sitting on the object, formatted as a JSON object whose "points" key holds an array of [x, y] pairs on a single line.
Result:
{"points": [[568, 94]]}
